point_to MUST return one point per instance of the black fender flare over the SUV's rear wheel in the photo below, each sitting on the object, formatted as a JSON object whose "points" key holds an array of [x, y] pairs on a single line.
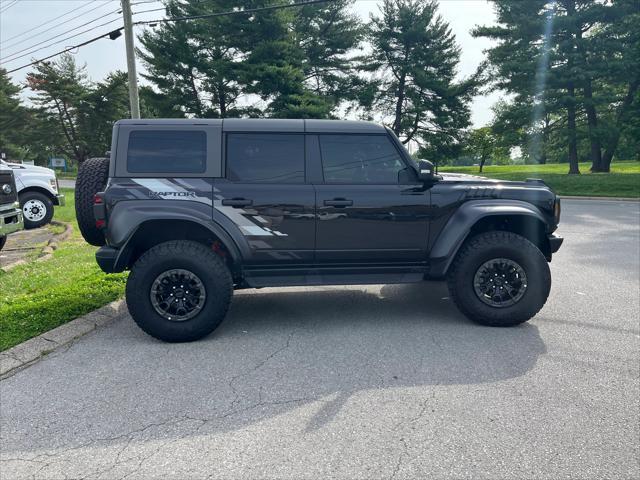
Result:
{"points": [[126, 217]]}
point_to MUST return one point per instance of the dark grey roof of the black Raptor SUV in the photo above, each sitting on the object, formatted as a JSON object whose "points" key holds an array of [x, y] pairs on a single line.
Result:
{"points": [[267, 124]]}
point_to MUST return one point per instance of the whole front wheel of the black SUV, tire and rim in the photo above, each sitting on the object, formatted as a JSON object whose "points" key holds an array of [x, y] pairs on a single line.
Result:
{"points": [[499, 279]]}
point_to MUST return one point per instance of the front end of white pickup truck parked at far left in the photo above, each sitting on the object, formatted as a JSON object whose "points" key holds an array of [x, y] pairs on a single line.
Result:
{"points": [[38, 192]]}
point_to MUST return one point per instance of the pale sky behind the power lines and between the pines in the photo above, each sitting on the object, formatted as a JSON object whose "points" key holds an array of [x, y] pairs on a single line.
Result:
{"points": [[23, 35]]}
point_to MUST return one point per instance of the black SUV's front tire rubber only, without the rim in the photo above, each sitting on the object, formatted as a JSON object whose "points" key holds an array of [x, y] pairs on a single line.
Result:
{"points": [[499, 244]]}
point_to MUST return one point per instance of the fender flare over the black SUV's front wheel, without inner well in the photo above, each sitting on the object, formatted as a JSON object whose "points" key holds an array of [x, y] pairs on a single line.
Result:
{"points": [[458, 227]]}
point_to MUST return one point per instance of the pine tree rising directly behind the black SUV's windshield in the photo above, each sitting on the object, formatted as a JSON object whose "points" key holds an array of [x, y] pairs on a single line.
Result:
{"points": [[413, 61]]}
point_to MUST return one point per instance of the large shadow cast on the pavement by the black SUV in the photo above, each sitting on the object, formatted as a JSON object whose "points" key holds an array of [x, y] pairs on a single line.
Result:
{"points": [[278, 350]]}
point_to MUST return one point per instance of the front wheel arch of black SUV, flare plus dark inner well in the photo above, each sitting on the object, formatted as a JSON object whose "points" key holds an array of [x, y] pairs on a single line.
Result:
{"points": [[482, 216]]}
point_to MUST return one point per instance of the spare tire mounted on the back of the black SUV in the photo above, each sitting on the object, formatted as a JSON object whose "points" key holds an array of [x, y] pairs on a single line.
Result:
{"points": [[92, 178]]}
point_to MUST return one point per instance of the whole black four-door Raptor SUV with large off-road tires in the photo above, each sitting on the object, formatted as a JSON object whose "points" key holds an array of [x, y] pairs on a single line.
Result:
{"points": [[197, 208]]}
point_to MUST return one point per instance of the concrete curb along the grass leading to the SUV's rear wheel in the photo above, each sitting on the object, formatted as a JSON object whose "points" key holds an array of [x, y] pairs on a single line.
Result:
{"points": [[33, 350]]}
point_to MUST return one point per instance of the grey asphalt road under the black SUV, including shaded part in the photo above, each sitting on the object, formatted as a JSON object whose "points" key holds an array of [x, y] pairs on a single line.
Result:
{"points": [[359, 382]]}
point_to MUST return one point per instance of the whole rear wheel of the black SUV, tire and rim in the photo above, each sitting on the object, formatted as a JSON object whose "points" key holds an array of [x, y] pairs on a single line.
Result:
{"points": [[179, 291]]}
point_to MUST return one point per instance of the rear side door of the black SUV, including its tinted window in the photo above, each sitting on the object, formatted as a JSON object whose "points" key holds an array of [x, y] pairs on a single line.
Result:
{"points": [[265, 194]]}
